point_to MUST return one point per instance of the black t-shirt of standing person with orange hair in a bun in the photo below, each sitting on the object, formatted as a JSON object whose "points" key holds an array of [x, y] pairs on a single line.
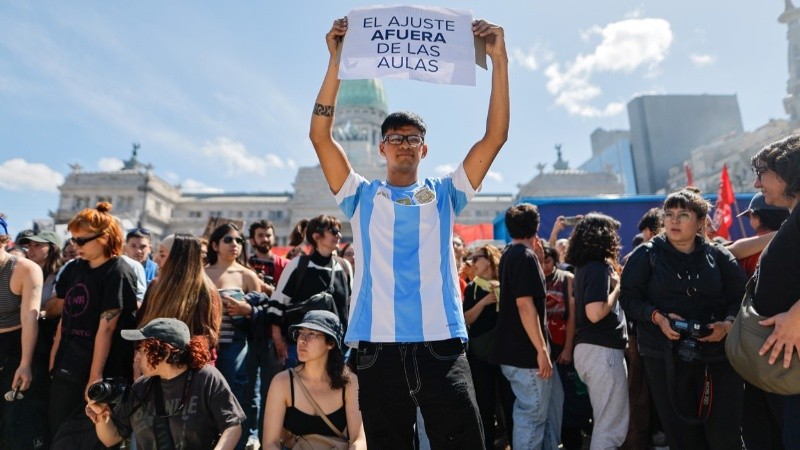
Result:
{"points": [[87, 293]]}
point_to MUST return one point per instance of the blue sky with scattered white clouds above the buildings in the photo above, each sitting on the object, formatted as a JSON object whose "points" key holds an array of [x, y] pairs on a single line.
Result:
{"points": [[219, 94]]}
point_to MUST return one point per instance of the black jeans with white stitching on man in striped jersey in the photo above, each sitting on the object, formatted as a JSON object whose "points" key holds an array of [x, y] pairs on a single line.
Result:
{"points": [[394, 379]]}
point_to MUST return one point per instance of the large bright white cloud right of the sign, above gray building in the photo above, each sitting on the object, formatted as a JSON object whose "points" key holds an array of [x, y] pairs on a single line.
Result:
{"points": [[625, 46]]}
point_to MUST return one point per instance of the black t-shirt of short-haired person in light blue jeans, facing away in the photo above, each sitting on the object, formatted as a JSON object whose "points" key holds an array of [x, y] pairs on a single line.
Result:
{"points": [[520, 276]]}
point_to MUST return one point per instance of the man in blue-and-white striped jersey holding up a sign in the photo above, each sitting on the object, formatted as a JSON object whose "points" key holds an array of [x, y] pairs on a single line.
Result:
{"points": [[405, 313]]}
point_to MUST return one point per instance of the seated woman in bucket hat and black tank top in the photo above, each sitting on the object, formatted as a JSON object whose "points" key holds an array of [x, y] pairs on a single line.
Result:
{"points": [[323, 373]]}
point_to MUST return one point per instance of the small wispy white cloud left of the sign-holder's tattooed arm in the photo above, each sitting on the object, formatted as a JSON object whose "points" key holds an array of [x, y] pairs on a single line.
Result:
{"points": [[238, 160]]}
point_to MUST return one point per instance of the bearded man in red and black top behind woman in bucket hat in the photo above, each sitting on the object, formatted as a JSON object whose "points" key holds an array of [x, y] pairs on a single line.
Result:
{"points": [[262, 360]]}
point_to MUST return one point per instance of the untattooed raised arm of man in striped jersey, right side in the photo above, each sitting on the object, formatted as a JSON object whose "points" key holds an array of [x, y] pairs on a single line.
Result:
{"points": [[481, 155]]}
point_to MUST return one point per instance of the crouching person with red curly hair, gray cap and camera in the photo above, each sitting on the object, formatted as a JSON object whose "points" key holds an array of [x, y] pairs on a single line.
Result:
{"points": [[180, 402]]}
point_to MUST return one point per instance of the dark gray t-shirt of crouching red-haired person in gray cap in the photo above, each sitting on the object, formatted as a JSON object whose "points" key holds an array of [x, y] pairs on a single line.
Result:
{"points": [[208, 409]]}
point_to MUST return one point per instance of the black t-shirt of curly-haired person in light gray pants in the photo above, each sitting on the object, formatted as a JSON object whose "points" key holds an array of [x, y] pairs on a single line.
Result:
{"points": [[592, 285]]}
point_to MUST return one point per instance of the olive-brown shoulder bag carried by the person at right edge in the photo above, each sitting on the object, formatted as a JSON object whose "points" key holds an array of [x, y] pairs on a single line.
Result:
{"points": [[742, 345]]}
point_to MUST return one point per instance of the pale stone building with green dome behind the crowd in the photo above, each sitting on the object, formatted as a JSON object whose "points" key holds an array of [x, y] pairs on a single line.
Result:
{"points": [[142, 198]]}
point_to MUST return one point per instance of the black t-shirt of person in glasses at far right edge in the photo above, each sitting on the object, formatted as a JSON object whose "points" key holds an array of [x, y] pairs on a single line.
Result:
{"points": [[779, 269]]}
